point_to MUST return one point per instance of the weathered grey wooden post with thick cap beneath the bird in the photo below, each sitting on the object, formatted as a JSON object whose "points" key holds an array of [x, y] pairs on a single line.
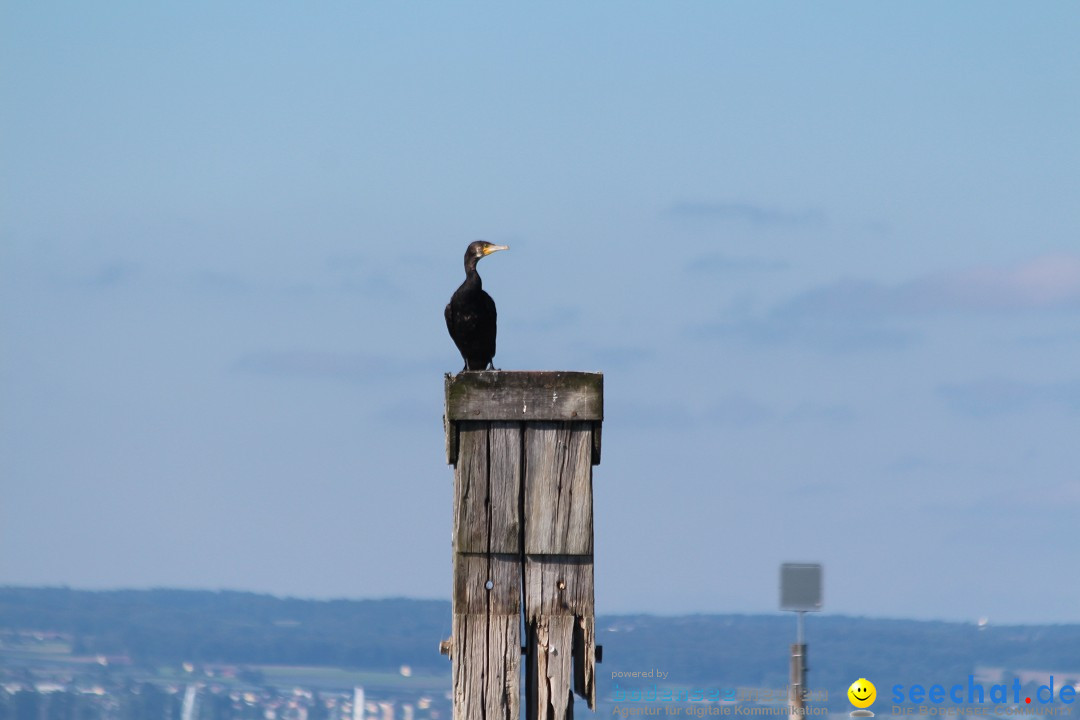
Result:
{"points": [[523, 446]]}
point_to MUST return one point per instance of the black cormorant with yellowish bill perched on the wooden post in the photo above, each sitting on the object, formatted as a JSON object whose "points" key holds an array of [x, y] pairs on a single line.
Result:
{"points": [[470, 315]]}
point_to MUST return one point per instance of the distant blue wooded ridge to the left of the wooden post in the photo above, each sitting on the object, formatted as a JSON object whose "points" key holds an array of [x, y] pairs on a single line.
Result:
{"points": [[172, 627]]}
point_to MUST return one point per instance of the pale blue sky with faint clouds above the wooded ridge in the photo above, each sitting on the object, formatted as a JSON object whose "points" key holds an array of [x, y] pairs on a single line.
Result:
{"points": [[827, 255]]}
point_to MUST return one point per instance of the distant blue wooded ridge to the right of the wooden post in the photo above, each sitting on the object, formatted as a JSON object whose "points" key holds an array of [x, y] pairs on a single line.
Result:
{"points": [[754, 650]]}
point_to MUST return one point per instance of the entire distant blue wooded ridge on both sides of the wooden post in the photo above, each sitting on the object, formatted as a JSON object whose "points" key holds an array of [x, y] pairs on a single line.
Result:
{"points": [[156, 628]]}
